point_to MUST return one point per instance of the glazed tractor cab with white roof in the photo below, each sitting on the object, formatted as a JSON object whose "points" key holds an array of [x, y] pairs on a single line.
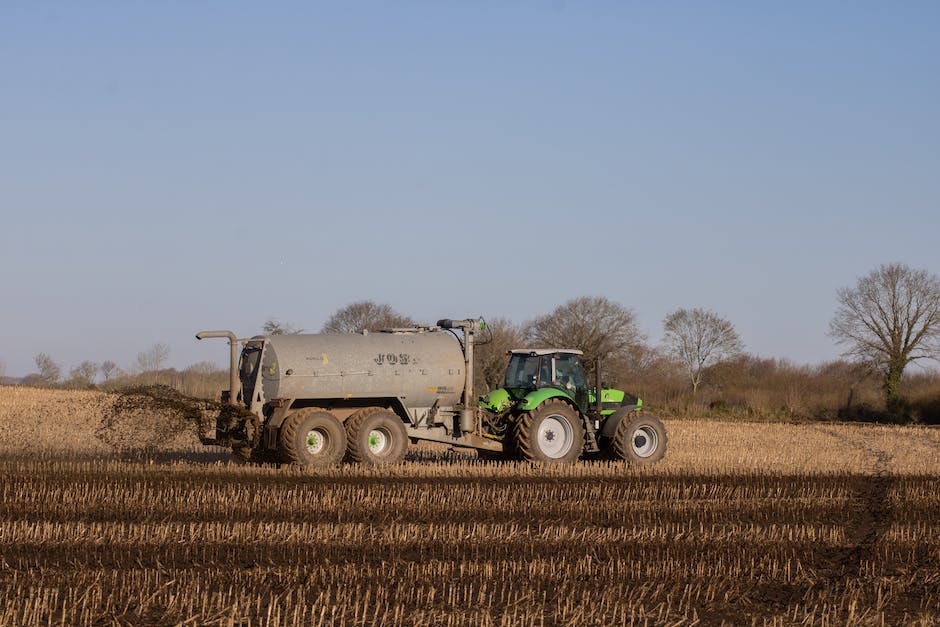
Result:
{"points": [[532, 369]]}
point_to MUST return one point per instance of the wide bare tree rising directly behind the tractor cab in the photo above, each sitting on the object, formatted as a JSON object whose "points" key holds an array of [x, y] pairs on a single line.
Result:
{"points": [[595, 325]]}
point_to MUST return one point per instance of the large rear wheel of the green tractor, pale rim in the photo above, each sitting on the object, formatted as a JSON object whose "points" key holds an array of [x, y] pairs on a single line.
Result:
{"points": [[552, 433]]}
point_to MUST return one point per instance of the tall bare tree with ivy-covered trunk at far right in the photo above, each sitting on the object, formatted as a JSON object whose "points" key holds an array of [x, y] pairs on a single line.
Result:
{"points": [[890, 318]]}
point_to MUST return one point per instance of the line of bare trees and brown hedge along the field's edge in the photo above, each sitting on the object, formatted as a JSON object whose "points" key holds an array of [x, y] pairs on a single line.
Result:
{"points": [[887, 320]]}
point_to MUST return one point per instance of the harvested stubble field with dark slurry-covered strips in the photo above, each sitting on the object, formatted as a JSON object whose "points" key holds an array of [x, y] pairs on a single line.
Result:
{"points": [[766, 523]]}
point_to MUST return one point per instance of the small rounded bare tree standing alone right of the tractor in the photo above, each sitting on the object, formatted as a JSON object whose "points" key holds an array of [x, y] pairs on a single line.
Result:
{"points": [[698, 339]]}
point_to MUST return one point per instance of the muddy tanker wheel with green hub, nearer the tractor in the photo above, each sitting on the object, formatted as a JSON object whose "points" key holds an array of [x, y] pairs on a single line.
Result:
{"points": [[376, 437]]}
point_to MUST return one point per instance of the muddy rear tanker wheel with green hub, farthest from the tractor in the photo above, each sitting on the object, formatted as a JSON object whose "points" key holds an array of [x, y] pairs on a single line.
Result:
{"points": [[312, 437]]}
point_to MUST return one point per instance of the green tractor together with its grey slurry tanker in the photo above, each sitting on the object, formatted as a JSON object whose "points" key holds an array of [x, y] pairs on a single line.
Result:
{"points": [[316, 399]]}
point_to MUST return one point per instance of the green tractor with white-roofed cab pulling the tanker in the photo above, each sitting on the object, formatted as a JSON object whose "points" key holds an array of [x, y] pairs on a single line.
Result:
{"points": [[547, 412]]}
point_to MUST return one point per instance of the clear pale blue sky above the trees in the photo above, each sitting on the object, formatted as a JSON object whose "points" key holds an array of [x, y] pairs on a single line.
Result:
{"points": [[167, 167]]}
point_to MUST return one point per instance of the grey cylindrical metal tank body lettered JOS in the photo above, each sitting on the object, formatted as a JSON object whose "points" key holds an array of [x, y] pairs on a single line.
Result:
{"points": [[420, 367]]}
